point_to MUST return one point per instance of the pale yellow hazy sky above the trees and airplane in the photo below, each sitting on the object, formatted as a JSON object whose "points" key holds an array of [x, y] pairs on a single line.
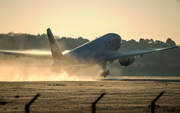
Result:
{"points": [[131, 19]]}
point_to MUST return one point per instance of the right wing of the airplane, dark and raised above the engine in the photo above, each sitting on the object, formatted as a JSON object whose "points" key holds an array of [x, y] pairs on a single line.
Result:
{"points": [[125, 54]]}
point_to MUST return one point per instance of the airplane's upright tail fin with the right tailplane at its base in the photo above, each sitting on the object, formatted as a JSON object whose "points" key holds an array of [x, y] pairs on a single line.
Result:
{"points": [[56, 52]]}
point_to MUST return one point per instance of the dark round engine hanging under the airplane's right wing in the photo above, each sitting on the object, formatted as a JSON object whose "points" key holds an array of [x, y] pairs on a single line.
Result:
{"points": [[126, 61]]}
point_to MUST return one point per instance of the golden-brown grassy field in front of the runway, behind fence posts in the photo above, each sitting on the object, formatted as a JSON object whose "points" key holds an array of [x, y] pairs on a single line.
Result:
{"points": [[125, 95]]}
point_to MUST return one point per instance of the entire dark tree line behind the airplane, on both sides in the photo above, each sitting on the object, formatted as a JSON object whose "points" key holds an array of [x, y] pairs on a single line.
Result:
{"points": [[159, 63]]}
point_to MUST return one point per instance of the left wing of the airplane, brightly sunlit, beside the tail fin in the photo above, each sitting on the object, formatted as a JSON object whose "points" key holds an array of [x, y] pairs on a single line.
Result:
{"points": [[29, 53]]}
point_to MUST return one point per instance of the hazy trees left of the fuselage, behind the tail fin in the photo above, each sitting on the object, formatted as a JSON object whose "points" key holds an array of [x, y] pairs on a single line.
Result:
{"points": [[21, 41]]}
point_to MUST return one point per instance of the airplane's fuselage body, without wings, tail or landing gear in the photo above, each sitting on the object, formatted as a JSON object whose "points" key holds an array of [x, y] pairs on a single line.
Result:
{"points": [[96, 50]]}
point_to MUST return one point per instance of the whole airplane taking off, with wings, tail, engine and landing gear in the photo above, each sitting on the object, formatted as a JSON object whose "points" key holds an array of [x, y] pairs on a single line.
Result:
{"points": [[98, 51]]}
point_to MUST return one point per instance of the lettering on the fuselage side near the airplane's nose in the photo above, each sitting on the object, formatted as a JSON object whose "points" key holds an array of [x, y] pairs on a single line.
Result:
{"points": [[112, 43]]}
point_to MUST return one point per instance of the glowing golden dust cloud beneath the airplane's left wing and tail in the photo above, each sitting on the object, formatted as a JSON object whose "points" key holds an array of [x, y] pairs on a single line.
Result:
{"points": [[30, 69]]}
